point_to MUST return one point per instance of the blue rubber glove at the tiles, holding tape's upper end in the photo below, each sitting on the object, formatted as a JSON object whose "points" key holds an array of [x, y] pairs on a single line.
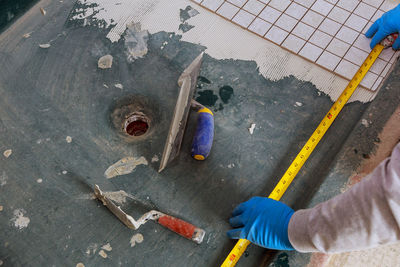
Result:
{"points": [[387, 24]]}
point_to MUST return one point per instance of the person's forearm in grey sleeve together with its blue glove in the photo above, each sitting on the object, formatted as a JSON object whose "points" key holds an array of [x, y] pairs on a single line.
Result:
{"points": [[365, 216]]}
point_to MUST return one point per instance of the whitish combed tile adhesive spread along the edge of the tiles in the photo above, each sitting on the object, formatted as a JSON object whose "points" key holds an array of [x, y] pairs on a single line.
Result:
{"points": [[222, 39]]}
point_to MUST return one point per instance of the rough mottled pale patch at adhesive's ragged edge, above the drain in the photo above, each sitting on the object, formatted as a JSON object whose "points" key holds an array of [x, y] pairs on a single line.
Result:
{"points": [[135, 41]]}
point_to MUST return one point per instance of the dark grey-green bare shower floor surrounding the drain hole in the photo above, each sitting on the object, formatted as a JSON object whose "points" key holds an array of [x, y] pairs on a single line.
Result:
{"points": [[49, 94]]}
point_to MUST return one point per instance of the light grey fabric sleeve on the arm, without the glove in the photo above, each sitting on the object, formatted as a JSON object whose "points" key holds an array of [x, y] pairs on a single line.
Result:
{"points": [[365, 216]]}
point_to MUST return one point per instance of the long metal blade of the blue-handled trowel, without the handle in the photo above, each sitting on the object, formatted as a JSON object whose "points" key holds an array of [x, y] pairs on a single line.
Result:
{"points": [[187, 82]]}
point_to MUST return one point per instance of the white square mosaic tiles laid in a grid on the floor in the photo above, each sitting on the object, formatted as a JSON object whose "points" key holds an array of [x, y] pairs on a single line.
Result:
{"points": [[327, 32]]}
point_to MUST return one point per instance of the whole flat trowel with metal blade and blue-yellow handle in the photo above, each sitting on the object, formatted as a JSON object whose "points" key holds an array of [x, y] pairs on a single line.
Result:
{"points": [[203, 138]]}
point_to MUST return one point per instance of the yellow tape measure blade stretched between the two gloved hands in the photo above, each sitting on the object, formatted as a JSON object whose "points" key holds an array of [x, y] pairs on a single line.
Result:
{"points": [[308, 148]]}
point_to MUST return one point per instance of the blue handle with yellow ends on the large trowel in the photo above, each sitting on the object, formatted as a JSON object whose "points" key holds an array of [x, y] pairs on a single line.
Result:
{"points": [[204, 135]]}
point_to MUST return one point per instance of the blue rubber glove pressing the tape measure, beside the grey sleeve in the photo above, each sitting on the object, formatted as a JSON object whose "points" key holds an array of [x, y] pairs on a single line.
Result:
{"points": [[262, 221]]}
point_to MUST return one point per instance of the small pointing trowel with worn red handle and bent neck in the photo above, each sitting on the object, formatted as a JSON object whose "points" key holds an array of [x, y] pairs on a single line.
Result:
{"points": [[176, 225]]}
